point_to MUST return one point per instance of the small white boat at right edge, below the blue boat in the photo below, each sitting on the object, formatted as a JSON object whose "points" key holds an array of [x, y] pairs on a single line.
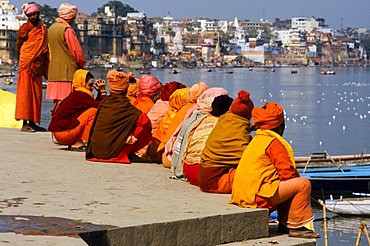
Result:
{"points": [[349, 206]]}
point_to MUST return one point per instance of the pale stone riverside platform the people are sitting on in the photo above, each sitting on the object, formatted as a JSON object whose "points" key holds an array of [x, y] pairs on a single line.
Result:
{"points": [[52, 196]]}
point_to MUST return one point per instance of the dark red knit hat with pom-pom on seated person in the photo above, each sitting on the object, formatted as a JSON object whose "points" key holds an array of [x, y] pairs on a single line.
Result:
{"points": [[242, 105]]}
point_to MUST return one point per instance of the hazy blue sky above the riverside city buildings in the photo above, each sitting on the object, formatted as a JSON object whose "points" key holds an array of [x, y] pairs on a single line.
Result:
{"points": [[337, 13]]}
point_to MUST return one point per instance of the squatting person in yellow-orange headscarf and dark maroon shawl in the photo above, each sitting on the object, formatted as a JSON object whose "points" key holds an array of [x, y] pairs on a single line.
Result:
{"points": [[72, 119]]}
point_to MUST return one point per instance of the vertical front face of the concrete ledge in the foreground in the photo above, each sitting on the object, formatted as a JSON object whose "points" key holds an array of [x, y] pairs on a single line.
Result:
{"points": [[211, 230]]}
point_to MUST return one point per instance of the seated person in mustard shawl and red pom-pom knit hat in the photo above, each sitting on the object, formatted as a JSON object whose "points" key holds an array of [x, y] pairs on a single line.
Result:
{"points": [[225, 146]]}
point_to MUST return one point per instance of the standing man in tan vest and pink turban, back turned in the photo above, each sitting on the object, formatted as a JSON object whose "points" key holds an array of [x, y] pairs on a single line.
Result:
{"points": [[66, 54]]}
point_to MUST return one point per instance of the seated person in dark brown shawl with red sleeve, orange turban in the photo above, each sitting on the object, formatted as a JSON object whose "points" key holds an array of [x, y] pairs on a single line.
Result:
{"points": [[119, 128]]}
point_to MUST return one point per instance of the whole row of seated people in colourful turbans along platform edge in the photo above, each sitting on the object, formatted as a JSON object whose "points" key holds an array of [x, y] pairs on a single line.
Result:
{"points": [[202, 134]]}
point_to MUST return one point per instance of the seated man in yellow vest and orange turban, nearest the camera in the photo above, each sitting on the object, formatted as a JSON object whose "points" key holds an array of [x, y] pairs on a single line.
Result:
{"points": [[266, 176]]}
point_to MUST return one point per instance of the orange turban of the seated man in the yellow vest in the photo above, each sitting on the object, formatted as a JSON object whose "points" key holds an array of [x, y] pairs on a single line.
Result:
{"points": [[268, 117]]}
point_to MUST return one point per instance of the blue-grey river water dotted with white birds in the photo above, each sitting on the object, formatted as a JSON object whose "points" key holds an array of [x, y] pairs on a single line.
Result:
{"points": [[323, 112]]}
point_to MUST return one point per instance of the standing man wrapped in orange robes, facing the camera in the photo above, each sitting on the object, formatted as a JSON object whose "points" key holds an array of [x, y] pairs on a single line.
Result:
{"points": [[32, 50]]}
